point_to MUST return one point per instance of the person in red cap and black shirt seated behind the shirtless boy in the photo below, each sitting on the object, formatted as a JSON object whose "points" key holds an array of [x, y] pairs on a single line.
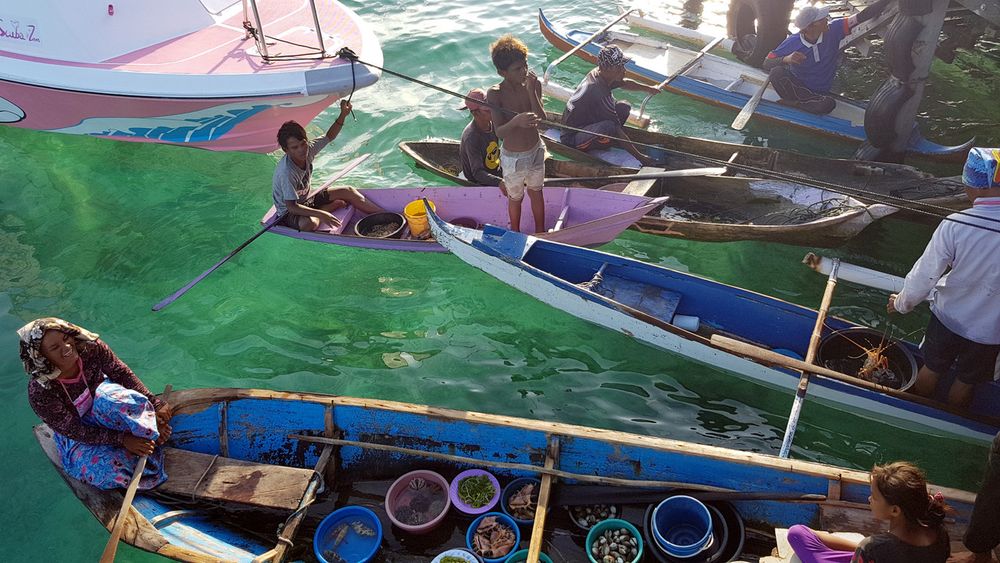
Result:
{"points": [[479, 148]]}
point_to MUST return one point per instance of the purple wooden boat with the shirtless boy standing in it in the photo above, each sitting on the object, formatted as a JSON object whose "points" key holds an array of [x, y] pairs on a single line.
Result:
{"points": [[577, 216]]}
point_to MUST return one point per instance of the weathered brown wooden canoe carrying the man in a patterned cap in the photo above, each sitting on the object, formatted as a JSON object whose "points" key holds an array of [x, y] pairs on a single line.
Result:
{"points": [[901, 183]]}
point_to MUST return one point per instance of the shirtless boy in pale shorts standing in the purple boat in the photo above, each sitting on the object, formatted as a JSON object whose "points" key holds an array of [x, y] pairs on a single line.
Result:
{"points": [[516, 109]]}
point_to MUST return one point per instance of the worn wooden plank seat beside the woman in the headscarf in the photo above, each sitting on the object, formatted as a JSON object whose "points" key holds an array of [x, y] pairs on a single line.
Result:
{"points": [[208, 477]]}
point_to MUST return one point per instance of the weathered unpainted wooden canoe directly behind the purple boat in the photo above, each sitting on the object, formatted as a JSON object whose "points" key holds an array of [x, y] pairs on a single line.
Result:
{"points": [[711, 208]]}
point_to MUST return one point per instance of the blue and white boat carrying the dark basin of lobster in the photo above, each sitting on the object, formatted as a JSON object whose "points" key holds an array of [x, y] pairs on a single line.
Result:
{"points": [[641, 300]]}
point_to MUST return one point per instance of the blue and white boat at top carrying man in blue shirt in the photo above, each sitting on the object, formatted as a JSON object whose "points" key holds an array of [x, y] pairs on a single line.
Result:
{"points": [[727, 83]]}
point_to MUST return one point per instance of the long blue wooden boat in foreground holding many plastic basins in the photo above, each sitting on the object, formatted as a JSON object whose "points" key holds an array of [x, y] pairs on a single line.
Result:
{"points": [[242, 461]]}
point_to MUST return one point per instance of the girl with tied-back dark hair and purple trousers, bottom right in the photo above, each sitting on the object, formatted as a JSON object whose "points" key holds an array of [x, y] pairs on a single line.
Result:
{"points": [[916, 532]]}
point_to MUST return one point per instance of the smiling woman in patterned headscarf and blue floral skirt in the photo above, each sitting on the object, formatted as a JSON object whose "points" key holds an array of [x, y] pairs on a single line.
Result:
{"points": [[101, 415]]}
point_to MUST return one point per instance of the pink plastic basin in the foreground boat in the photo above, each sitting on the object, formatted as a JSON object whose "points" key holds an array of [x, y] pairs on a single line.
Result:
{"points": [[413, 494]]}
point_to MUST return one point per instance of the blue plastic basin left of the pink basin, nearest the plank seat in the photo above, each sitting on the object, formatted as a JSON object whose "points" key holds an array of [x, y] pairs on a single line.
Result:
{"points": [[338, 534]]}
